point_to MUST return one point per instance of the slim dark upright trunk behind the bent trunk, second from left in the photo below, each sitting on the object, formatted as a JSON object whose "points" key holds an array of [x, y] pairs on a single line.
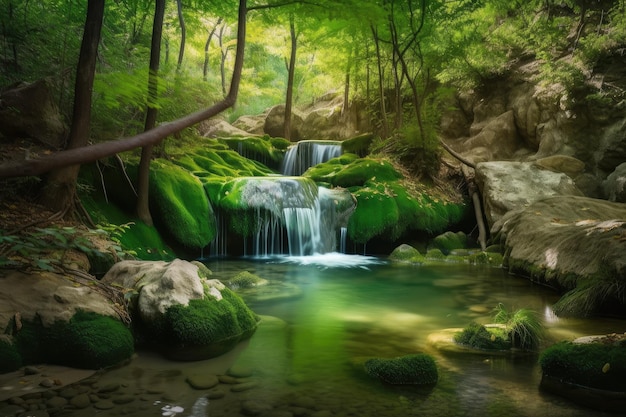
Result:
{"points": [[143, 183]]}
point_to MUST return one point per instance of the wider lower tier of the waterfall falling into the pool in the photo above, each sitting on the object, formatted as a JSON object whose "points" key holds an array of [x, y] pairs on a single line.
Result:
{"points": [[294, 216]]}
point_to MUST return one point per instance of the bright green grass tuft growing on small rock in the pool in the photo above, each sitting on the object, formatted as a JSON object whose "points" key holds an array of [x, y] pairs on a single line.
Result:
{"points": [[524, 327]]}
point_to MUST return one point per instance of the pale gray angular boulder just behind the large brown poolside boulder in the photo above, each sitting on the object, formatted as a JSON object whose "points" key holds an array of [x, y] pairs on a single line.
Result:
{"points": [[508, 186]]}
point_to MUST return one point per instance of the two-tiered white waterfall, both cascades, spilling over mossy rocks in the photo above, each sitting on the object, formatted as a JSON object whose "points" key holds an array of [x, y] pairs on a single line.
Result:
{"points": [[294, 215]]}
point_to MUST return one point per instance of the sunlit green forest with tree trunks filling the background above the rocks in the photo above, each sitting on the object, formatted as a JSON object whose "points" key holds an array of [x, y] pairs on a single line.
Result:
{"points": [[153, 62]]}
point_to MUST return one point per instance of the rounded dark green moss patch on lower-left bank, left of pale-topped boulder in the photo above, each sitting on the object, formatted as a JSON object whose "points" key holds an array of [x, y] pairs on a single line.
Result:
{"points": [[89, 341]]}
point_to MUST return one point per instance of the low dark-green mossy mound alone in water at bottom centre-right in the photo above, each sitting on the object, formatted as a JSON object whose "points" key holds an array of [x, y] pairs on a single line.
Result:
{"points": [[417, 369]]}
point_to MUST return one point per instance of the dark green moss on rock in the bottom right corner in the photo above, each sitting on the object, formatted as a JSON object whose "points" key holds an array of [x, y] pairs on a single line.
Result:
{"points": [[586, 364]]}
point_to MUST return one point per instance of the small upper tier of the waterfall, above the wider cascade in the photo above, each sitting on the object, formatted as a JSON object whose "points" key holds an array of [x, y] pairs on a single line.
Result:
{"points": [[308, 153]]}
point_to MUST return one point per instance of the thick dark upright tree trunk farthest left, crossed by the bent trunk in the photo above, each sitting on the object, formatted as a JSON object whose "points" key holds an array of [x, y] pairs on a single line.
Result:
{"points": [[59, 191]]}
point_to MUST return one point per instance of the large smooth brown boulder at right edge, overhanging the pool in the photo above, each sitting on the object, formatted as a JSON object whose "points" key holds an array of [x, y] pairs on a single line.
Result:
{"points": [[570, 243]]}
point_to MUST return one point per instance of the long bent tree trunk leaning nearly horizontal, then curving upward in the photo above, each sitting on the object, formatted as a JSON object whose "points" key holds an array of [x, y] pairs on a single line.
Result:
{"points": [[94, 152]]}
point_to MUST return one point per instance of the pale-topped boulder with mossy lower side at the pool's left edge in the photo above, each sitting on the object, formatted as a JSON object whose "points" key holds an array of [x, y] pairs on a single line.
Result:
{"points": [[189, 316]]}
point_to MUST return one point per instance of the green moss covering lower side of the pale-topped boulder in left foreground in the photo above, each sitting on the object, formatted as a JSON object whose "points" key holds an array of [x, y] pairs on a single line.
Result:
{"points": [[208, 321]]}
